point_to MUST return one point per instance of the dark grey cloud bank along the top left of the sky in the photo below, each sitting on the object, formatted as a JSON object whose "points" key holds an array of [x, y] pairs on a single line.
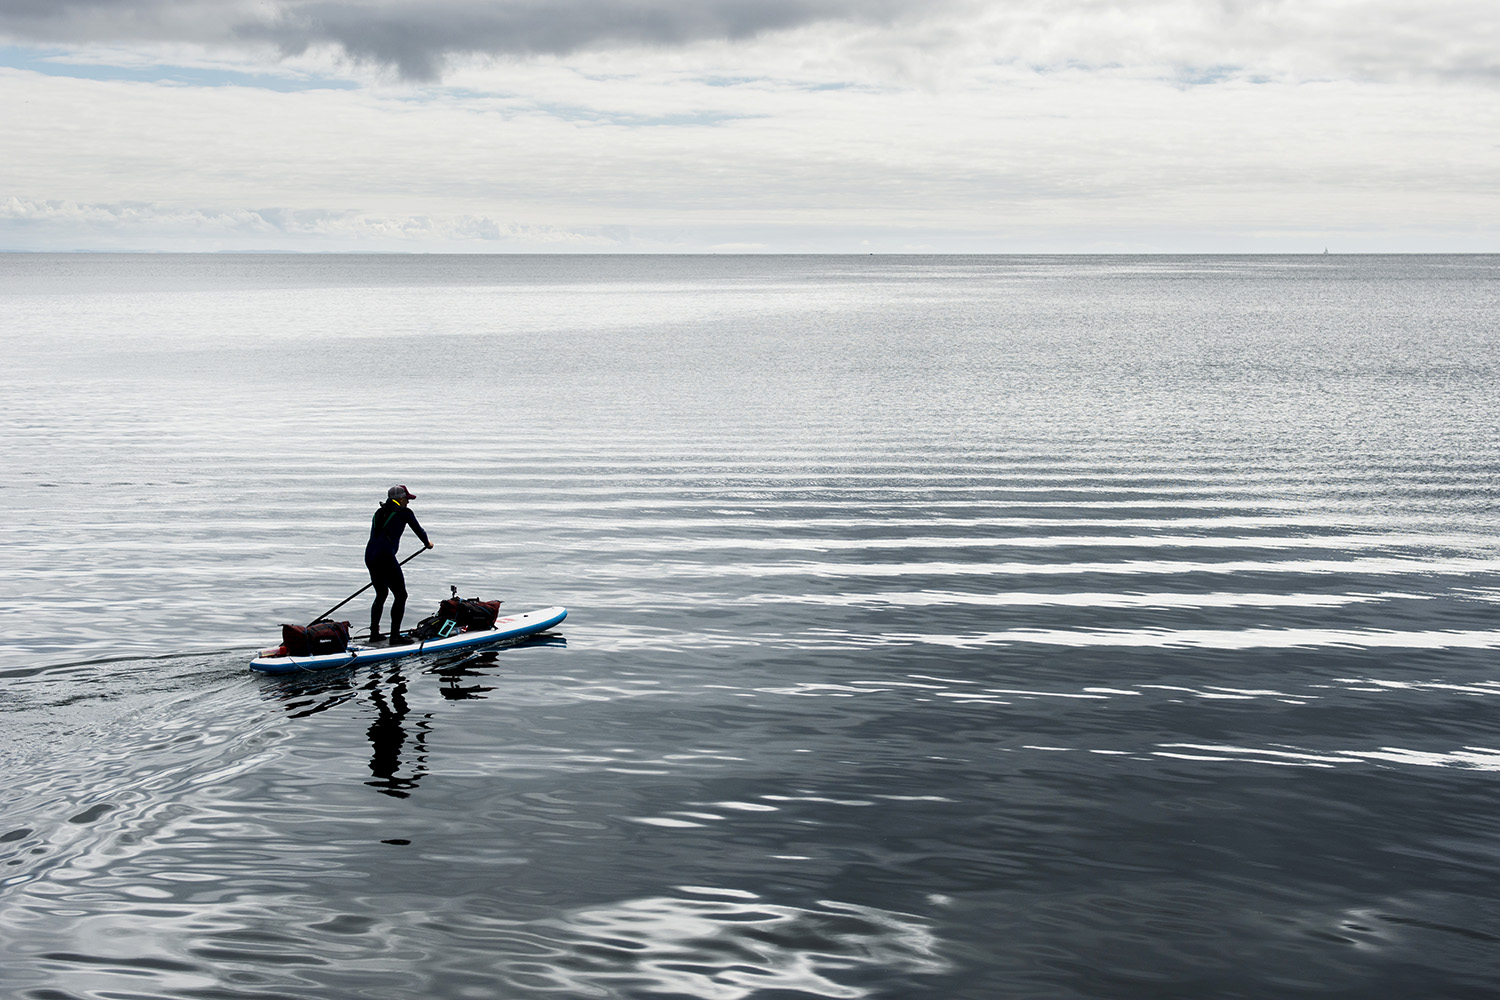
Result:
{"points": [[418, 38]]}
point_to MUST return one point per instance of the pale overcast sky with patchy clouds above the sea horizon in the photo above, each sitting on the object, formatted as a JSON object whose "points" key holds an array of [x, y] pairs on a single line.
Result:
{"points": [[751, 127]]}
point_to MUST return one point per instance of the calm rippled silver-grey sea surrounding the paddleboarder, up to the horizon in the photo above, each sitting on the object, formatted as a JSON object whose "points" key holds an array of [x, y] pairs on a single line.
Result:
{"points": [[940, 627]]}
